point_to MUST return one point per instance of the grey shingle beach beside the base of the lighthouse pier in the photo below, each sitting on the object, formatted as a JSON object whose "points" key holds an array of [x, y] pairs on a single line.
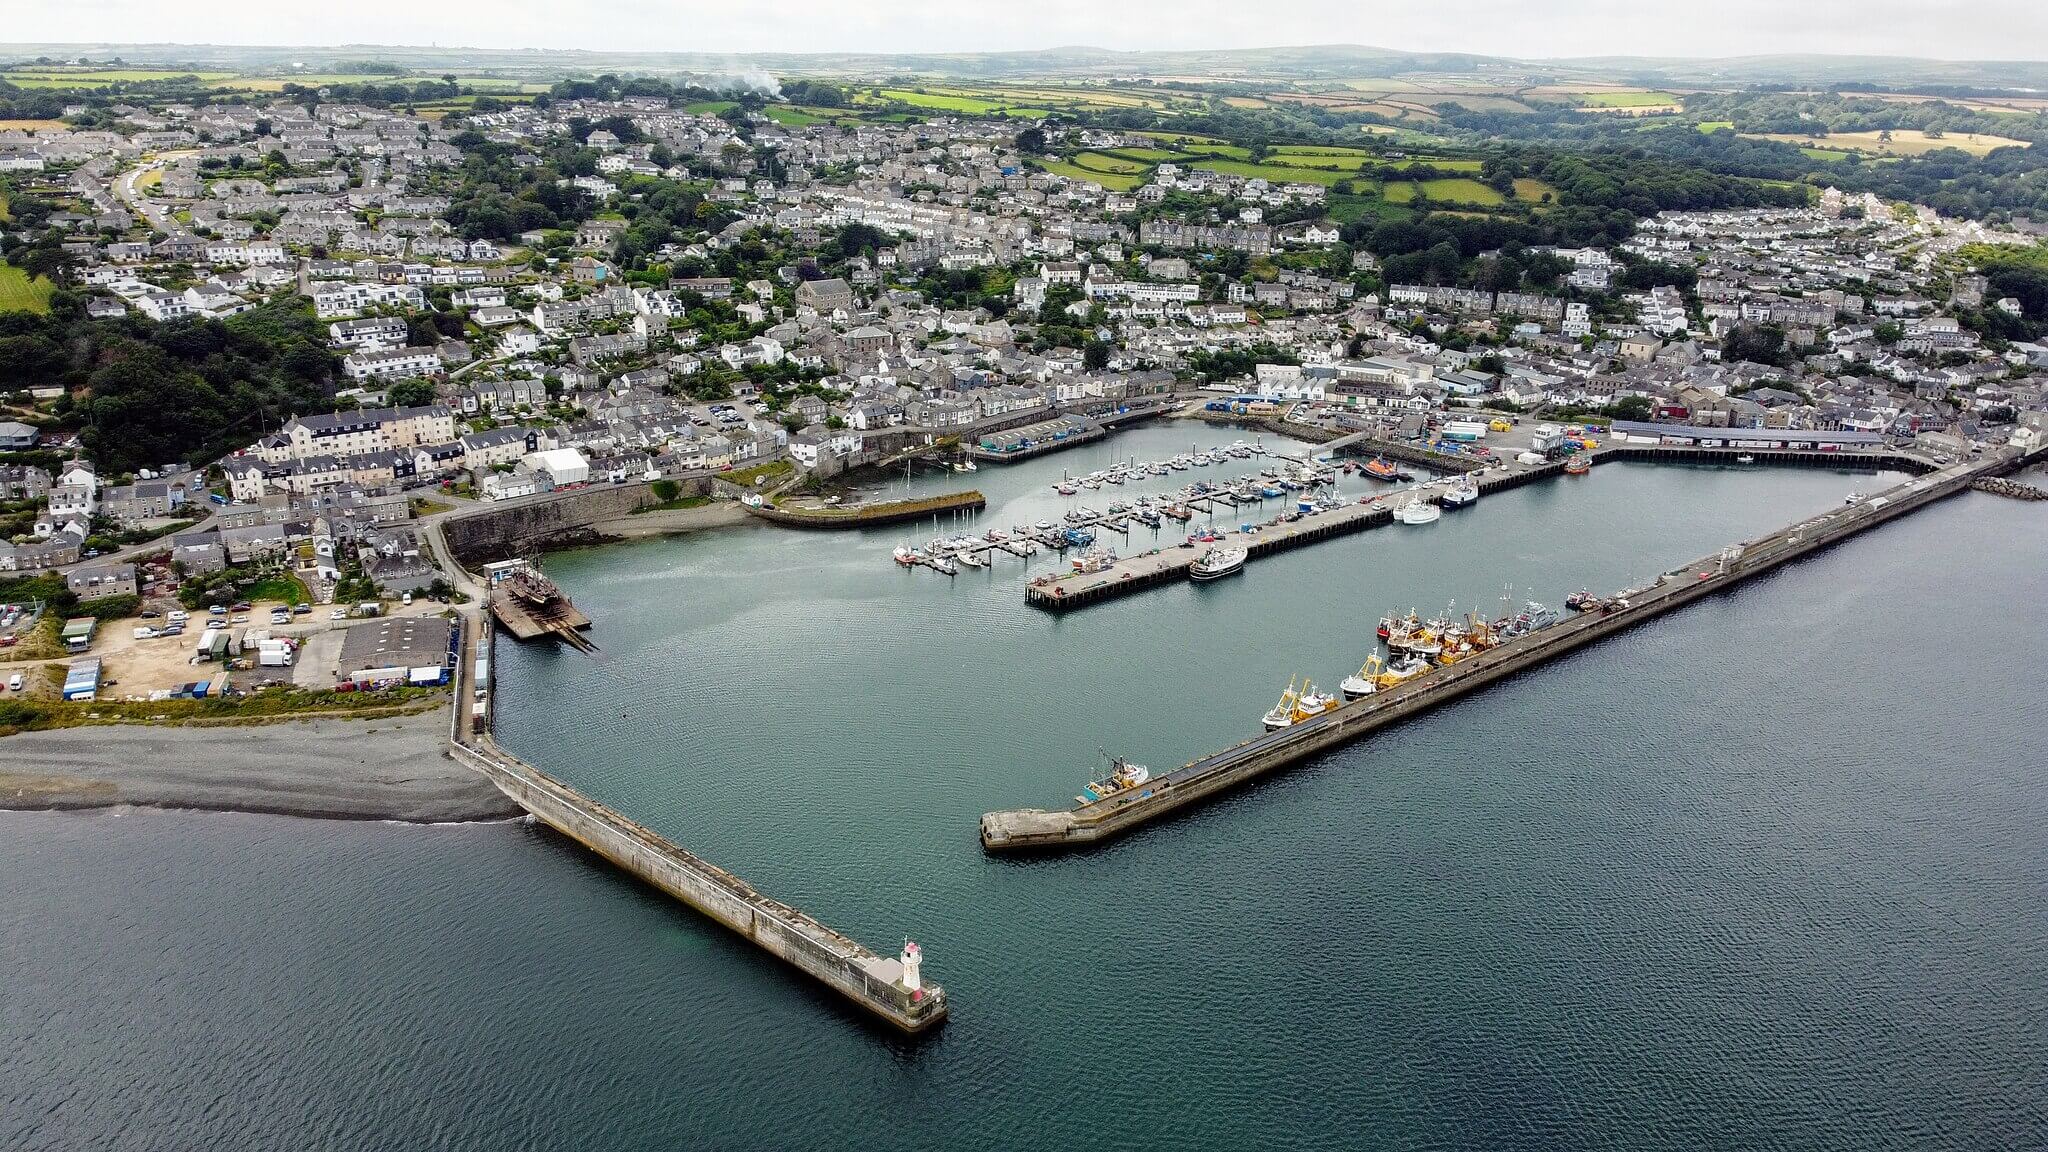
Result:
{"points": [[345, 770]]}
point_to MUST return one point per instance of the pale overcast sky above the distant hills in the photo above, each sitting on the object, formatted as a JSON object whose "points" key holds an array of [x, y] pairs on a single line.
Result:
{"points": [[1953, 30]]}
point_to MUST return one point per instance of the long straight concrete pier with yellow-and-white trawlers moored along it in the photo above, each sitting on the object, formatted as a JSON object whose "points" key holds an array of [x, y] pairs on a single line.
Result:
{"points": [[1099, 821]]}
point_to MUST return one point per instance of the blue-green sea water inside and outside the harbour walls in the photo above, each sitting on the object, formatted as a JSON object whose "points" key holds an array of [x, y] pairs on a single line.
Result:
{"points": [[1764, 874]]}
